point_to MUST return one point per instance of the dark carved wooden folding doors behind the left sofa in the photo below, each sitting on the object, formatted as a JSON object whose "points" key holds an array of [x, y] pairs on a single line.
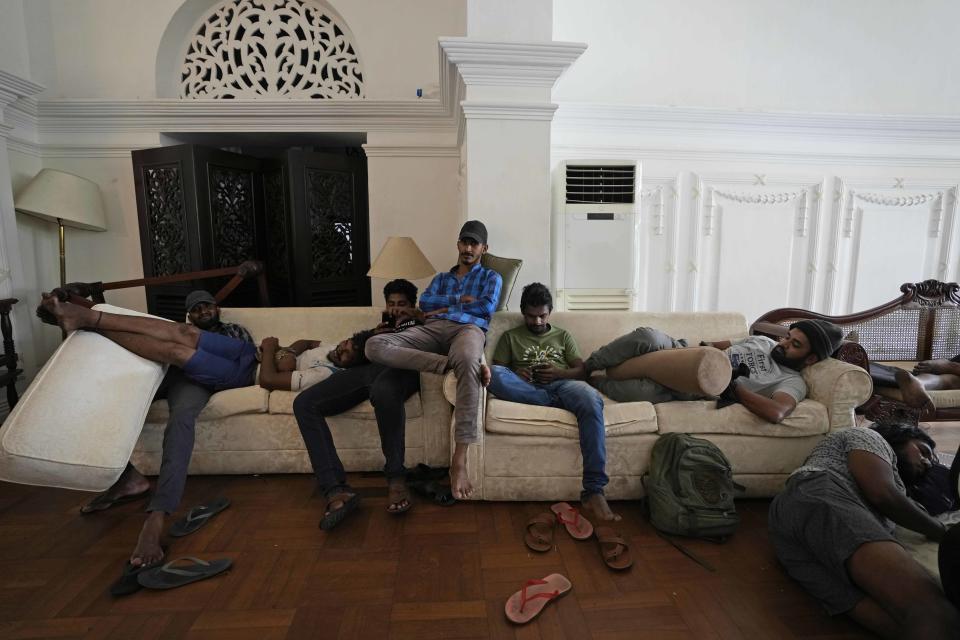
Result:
{"points": [[304, 214]]}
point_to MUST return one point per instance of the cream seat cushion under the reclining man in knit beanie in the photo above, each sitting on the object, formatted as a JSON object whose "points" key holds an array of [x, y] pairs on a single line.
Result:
{"points": [[702, 416]]}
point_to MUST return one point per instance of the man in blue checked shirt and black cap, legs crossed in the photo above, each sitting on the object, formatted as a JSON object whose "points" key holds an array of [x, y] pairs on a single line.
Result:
{"points": [[456, 310]]}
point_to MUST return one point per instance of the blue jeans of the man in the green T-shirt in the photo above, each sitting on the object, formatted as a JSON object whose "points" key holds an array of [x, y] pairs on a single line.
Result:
{"points": [[575, 396]]}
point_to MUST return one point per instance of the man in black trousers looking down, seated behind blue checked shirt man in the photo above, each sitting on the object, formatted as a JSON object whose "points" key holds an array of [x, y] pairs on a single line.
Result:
{"points": [[354, 381]]}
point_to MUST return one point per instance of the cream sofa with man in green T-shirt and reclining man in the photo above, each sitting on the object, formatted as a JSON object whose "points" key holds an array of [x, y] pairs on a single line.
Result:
{"points": [[533, 453]]}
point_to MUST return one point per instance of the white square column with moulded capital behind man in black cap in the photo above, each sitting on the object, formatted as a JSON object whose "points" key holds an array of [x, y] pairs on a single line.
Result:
{"points": [[507, 113]]}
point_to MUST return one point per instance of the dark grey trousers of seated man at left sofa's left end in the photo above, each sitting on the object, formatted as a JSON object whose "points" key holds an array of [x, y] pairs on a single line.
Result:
{"points": [[186, 399]]}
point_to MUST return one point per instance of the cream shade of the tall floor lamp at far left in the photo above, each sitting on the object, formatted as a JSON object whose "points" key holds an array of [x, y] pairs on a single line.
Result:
{"points": [[55, 195]]}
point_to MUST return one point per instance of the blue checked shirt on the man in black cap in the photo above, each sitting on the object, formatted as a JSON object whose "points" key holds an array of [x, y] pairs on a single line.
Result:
{"points": [[445, 290]]}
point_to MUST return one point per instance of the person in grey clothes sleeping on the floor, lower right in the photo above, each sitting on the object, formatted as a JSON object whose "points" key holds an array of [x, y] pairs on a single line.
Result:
{"points": [[832, 530]]}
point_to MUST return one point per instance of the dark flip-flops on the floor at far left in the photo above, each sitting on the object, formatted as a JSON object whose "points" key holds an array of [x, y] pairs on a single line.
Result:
{"points": [[179, 571]]}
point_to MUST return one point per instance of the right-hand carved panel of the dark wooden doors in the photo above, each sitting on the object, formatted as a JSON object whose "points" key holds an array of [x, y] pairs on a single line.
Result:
{"points": [[329, 230]]}
